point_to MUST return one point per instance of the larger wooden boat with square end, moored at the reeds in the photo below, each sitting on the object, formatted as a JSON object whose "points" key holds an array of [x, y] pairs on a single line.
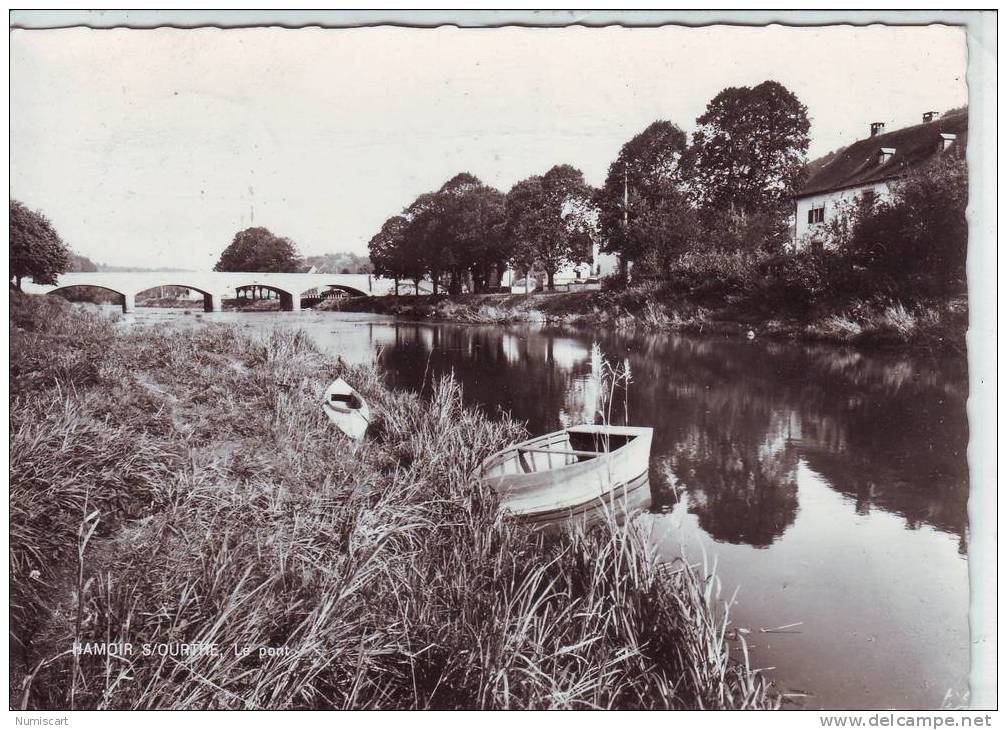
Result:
{"points": [[569, 472]]}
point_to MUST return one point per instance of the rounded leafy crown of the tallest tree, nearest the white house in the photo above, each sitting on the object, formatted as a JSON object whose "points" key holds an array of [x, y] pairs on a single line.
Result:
{"points": [[750, 152]]}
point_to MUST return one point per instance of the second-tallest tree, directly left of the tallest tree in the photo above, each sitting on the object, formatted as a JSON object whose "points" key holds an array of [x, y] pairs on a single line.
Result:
{"points": [[657, 222]]}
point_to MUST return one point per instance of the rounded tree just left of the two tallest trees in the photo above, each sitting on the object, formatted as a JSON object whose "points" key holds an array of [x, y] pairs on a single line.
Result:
{"points": [[552, 221]]}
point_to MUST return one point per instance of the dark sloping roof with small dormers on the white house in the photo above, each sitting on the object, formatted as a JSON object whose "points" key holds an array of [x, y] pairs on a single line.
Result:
{"points": [[859, 165]]}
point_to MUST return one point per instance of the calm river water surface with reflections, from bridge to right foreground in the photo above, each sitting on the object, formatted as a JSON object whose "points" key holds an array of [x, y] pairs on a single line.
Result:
{"points": [[829, 486]]}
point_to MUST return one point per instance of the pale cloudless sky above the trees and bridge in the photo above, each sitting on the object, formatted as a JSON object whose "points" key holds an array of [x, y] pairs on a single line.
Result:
{"points": [[153, 149]]}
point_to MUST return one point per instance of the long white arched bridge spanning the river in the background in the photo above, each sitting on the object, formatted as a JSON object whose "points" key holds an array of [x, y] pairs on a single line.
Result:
{"points": [[215, 286]]}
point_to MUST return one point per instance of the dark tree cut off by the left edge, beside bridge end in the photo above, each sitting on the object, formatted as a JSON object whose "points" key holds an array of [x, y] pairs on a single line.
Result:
{"points": [[36, 248]]}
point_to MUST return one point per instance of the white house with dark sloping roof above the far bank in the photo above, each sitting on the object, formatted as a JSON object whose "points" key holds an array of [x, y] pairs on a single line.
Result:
{"points": [[870, 167]]}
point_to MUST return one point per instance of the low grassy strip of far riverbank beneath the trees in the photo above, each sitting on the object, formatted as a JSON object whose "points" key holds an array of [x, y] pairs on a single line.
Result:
{"points": [[935, 325]]}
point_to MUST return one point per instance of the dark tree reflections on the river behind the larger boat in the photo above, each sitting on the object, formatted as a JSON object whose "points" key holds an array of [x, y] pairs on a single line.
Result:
{"points": [[734, 419]]}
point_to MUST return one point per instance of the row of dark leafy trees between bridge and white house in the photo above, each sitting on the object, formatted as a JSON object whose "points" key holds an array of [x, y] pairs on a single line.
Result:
{"points": [[662, 195]]}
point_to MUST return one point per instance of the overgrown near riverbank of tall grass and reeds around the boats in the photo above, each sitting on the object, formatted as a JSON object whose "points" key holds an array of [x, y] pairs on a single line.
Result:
{"points": [[183, 486]]}
